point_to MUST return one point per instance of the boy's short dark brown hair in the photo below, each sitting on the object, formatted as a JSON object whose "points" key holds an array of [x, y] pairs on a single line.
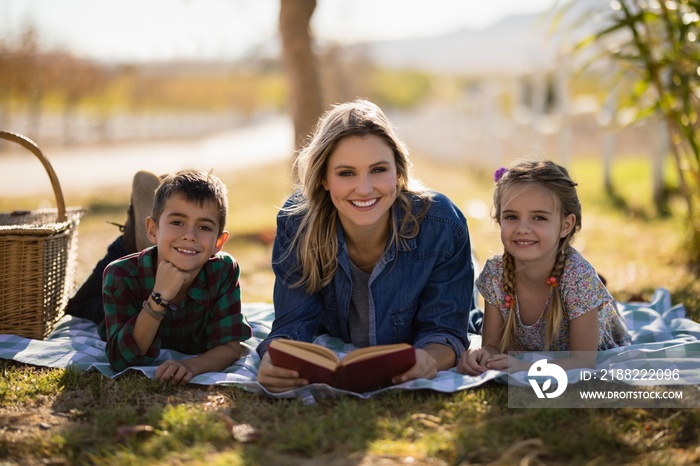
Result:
{"points": [[196, 186]]}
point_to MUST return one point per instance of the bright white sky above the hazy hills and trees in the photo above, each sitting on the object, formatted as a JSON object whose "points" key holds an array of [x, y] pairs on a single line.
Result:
{"points": [[140, 30]]}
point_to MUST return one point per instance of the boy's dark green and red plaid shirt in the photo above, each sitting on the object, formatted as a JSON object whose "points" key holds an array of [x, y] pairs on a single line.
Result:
{"points": [[209, 316]]}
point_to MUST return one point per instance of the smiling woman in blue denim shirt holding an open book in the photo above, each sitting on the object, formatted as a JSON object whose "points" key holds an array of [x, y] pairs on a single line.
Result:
{"points": [[364, 253]]}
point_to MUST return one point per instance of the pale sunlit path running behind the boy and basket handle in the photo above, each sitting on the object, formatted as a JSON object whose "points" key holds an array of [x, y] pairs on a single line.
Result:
{"points": [[94, 168]]}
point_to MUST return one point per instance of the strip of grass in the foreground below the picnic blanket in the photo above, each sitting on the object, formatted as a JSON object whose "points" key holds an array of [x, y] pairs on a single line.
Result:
{"points": [[134, 420]]}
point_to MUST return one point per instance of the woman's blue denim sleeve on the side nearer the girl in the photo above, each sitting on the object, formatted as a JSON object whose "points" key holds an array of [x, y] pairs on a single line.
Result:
{"points": [[446, 300]]}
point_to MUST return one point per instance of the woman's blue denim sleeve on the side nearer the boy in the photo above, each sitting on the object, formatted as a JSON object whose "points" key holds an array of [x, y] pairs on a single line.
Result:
{"points": [[297, 313]]}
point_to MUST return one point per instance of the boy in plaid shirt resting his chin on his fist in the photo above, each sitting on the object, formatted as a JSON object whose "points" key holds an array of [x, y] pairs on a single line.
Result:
{"points": [[183, 294]]}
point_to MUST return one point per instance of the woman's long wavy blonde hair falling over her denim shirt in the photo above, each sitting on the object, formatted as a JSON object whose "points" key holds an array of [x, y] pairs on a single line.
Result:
{"points": [[316, 240]]}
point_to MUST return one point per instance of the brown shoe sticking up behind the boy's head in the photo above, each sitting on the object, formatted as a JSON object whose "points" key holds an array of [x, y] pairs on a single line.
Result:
{"points": [[143, 190]]}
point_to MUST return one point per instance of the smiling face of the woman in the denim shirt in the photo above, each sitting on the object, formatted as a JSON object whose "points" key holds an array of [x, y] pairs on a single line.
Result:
{"points": [[361, 179]]}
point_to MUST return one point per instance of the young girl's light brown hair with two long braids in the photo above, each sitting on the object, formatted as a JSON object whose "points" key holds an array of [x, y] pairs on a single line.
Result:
{"points": [[557, 180]]}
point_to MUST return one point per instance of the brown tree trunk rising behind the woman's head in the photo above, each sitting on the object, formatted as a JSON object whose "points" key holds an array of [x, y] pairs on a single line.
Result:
{"points": [[300, 66]]}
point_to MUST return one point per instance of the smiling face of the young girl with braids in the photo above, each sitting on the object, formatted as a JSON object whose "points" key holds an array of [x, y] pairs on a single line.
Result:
{"points": [[531, 224]]}
